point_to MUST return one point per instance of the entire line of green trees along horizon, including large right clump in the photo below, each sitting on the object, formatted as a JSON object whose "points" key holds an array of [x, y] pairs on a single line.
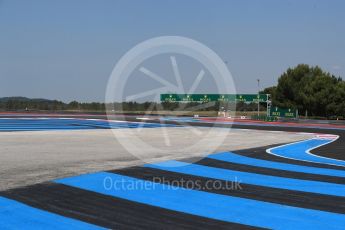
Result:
{"points": [[309, 89]]}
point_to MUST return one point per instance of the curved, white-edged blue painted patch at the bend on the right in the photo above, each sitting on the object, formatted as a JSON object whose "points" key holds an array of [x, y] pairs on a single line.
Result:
{"points": [[299, 150]]}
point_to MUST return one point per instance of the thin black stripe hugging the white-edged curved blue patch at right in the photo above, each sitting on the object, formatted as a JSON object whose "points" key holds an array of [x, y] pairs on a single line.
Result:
{"points": [[260, 153]]}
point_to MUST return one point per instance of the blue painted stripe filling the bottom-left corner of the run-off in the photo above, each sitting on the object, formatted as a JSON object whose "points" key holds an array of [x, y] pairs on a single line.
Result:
{"points": [[15, 215]]}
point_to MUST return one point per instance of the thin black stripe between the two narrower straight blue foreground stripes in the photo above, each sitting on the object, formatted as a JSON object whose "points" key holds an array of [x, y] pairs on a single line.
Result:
{"points": [[267, 171]]}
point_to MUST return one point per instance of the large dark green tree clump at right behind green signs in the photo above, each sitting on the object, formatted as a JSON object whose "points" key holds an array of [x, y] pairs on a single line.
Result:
{"points": [[311, 90]]}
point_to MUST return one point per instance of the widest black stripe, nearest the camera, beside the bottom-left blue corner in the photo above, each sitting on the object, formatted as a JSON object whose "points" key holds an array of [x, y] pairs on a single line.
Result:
{"points": [[110, 212]]}
